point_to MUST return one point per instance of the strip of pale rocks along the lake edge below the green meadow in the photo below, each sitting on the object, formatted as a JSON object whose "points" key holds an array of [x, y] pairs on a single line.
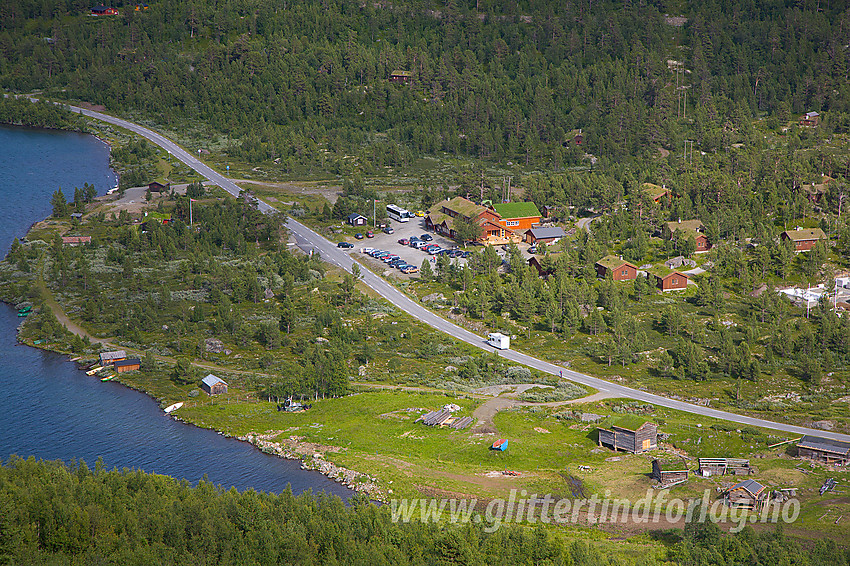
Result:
{"points": [[312, 458]]}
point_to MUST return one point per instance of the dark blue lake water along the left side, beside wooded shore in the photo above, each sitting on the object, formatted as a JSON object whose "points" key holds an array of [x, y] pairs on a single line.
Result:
{"points": [[51, 410]]}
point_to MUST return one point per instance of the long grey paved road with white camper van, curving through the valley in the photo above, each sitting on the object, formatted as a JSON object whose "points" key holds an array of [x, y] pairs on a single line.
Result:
{"points": [[307, 239]]}
